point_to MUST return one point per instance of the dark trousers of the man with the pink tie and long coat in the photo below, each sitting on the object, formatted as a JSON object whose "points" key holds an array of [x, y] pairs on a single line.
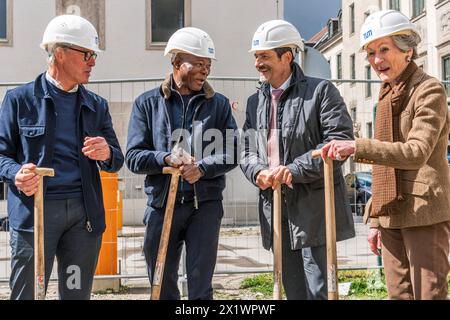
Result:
{"points": [[304, 270]]}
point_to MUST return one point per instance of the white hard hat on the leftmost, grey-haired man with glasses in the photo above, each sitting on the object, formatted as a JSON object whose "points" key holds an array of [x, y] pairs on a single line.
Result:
{"points": [[71, 29]]}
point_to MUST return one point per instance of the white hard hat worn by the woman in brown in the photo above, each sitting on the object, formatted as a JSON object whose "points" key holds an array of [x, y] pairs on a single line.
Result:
{"points": [[385, 23]]}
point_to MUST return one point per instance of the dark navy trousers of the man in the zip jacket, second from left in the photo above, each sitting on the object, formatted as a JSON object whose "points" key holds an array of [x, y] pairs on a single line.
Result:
{"points": [[199, 230]]}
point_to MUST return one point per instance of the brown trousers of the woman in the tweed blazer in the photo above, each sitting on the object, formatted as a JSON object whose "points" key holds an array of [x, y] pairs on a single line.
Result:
{"points": [[416, 261]]}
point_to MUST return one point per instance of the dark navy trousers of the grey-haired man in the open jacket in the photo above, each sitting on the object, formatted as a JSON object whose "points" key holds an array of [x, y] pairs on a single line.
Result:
{"points": [[65, 237]]}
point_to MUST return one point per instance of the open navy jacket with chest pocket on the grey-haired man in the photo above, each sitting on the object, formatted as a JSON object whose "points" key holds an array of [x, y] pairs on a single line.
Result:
{"points": [[27, 135]]}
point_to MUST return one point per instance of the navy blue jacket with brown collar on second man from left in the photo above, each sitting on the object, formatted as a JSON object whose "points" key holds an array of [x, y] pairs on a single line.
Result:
{"points": [[150, 140]]}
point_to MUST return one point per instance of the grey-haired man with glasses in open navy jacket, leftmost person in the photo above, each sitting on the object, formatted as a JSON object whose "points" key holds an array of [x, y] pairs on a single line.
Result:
{"points": [[56, 122]]}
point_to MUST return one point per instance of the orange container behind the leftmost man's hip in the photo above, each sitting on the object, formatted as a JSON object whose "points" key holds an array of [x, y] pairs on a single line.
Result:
{"points": [[107, 262]]}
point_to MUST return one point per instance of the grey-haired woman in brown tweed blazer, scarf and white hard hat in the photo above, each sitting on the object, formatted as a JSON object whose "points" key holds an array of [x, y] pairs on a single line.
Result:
{"points": [[410, 204]]}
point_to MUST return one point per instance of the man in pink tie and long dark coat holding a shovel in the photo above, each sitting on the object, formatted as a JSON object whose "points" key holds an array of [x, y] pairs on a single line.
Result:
{"points": [[291, 115]]}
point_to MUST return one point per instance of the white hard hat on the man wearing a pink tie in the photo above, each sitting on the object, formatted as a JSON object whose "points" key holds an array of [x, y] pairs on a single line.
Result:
{"points": [[276, 34]]}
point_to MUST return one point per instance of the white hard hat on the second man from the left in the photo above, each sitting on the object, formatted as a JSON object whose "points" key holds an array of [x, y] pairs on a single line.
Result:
{"points": [[193, 41]]}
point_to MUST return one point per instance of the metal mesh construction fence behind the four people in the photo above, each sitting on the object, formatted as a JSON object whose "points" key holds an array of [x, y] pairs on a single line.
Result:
{"points": [[240, 245]]}
